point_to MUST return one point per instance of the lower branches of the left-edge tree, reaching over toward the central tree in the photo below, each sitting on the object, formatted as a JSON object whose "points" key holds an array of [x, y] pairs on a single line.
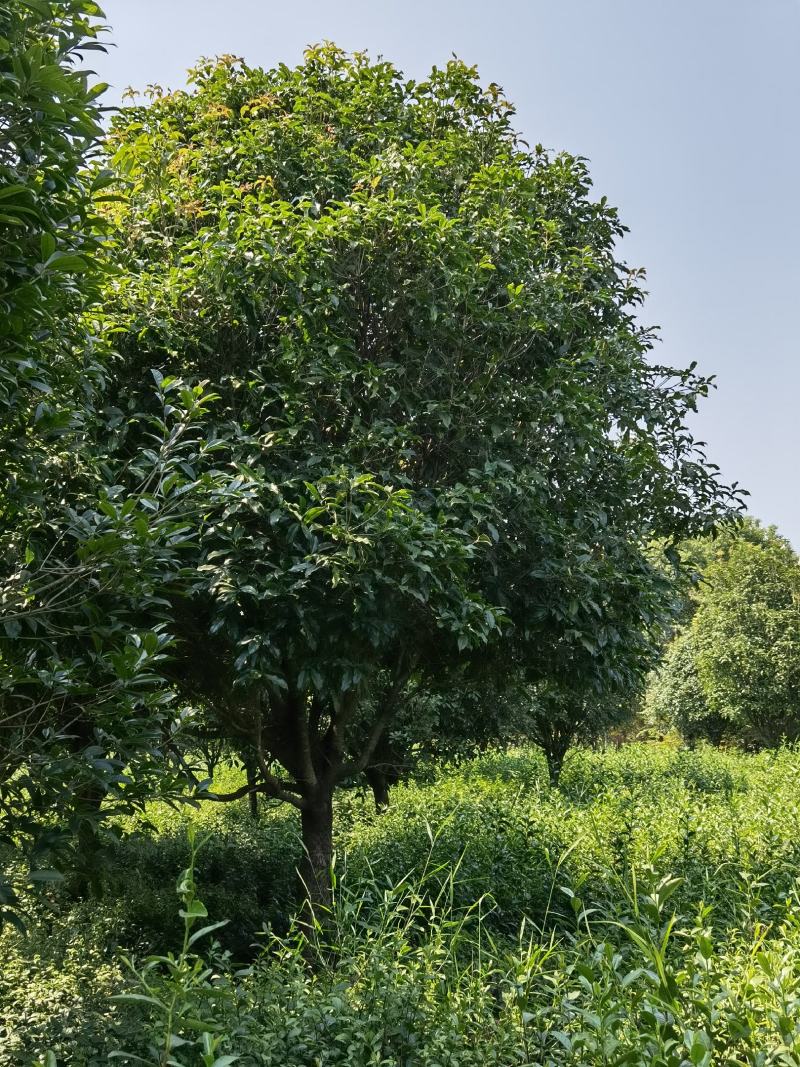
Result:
{"points": [[86, 710]]}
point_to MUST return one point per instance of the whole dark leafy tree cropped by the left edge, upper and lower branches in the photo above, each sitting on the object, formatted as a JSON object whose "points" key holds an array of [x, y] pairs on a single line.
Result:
{"points": [[90, 539]]}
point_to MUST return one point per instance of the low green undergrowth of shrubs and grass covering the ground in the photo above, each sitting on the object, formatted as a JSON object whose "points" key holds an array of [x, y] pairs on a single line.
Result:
{"points": [[660, 885]]}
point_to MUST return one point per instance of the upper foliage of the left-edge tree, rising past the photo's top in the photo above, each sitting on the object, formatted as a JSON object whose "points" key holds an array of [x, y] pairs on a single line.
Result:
{"points": [[50, 230]]}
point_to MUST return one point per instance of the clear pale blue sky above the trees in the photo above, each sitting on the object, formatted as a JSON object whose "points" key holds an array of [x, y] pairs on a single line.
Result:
{"points": [[689, 114]]}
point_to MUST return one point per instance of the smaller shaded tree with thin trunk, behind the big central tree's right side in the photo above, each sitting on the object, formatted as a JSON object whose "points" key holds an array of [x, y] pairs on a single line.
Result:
{"points": [[555, 691]]}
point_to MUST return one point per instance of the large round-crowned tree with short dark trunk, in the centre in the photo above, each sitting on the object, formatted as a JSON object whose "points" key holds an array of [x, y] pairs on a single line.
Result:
{"points": [[433, 386]]}
